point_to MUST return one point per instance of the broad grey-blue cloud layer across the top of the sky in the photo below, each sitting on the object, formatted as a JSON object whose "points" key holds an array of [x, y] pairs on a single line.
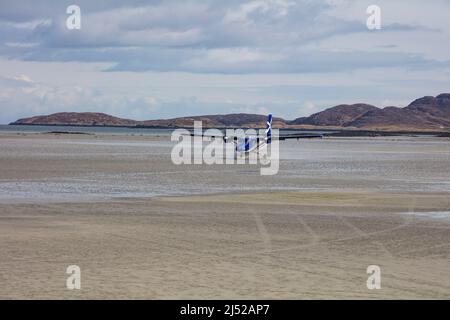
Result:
{"points": [[259, 36]]}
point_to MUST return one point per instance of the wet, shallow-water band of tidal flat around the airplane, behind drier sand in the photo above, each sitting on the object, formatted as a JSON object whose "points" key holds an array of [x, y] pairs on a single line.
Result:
{"points": [[72, 167]]}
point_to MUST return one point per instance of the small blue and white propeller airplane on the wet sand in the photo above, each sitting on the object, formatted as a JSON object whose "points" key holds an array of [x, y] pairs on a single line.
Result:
{"points": [[246, 144]]}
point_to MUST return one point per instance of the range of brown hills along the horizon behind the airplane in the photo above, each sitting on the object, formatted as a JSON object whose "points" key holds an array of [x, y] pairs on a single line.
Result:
{"points": [[427, 113]]}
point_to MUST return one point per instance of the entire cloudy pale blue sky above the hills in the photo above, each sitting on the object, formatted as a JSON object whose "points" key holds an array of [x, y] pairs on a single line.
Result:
{"points": [[161, 59]]}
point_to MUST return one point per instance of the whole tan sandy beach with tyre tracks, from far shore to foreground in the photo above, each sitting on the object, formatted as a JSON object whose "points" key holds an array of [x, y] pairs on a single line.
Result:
{"points": [[312, 243]]}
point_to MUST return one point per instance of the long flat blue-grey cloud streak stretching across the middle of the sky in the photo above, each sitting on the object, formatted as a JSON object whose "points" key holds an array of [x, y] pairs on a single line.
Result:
{"points": [[234, 60]]}
